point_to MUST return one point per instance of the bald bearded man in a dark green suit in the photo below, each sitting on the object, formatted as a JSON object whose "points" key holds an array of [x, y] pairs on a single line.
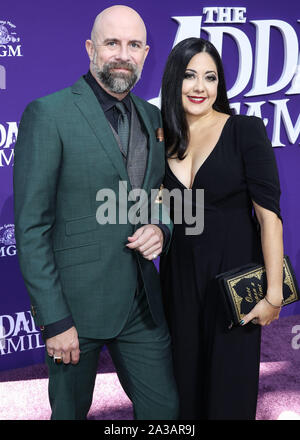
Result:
{"points": [[92, 282]]}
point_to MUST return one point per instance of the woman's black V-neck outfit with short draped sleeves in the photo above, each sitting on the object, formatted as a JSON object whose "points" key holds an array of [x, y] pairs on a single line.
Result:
{"points": [[217, 369]]}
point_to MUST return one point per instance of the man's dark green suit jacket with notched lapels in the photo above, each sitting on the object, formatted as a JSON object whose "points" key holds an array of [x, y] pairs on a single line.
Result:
{"points": [[65, 153]]}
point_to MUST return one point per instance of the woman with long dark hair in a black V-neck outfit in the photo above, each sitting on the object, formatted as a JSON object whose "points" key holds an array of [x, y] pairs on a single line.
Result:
{"points": [[231, 158]]}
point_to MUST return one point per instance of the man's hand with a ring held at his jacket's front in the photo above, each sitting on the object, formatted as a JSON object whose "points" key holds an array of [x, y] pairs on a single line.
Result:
{"points": [[148, 240]]}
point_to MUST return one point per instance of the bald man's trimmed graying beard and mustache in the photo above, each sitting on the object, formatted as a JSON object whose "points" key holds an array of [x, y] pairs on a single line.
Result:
{"points": [[118, 82]]}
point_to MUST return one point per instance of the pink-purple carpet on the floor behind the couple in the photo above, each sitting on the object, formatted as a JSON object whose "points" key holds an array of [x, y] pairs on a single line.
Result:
{"points": [[23, 392]]}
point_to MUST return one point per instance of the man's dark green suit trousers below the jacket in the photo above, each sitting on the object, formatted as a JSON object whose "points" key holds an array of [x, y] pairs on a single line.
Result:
{"points": [[143, 361]]}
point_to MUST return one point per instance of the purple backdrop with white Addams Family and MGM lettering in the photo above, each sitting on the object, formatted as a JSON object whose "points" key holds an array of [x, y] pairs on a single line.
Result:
{"points": [[42, 50]]}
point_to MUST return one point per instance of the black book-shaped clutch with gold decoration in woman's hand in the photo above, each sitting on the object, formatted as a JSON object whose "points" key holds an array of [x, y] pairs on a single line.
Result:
{"points": [[243, 287]]}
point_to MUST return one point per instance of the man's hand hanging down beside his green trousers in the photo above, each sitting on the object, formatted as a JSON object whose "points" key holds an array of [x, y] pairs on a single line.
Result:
{"points": [[66, 345]]}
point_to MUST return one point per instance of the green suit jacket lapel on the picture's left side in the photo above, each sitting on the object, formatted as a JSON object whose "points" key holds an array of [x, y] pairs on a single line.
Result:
{"points": [[89, 106]]}
